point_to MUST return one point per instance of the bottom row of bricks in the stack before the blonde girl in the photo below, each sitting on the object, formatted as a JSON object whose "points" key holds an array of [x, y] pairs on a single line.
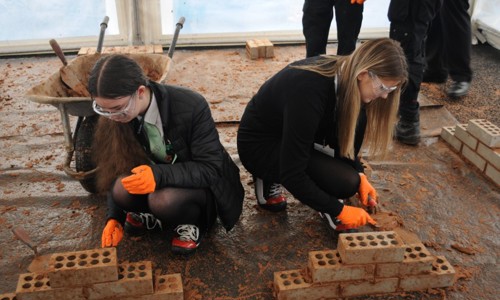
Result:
{"points": [[294, 284]]}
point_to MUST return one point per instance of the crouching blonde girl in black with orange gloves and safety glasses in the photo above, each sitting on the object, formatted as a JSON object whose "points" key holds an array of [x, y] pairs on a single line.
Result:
{"points": [[305, 127]]}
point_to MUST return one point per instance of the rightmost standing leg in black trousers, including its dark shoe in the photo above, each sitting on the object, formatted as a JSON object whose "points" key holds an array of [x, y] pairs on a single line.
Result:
{"points": [[457, 38]]}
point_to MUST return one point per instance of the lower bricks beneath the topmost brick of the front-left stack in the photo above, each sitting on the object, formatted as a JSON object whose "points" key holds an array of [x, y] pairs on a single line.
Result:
{"points": [[134, 281]]}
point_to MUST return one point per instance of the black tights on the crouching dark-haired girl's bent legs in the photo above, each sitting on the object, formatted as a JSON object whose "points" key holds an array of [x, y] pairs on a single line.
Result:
{"points": [[170, 205]]}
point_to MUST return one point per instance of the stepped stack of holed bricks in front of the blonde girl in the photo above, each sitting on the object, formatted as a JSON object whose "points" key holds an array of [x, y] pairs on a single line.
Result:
{"points": [[365, 264]]}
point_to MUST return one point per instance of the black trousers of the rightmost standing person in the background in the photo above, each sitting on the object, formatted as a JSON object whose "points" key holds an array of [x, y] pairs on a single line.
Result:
{"points": [[448, 46]]}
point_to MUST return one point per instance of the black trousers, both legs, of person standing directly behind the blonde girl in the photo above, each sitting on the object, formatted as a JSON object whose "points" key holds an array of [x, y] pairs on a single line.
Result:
{"points": [[316, 21]]}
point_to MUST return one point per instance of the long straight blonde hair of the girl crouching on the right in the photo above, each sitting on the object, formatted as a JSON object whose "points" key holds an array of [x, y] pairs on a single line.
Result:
{"points": [[385, 58]]}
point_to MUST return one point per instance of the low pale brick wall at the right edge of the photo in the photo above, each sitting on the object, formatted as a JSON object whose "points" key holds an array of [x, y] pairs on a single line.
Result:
{"points": [[479, 143]]}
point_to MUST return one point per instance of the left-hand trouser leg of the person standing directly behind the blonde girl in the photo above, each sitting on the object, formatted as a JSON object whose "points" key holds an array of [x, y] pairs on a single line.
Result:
{"points": [[316, 20]]}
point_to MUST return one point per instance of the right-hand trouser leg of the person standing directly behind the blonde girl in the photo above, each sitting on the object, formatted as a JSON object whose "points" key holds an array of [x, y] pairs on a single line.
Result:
{"points": [[349, 18]]}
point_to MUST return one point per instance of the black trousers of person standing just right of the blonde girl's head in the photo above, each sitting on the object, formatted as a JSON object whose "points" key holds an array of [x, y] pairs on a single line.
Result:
{"points": [[410, 21]]}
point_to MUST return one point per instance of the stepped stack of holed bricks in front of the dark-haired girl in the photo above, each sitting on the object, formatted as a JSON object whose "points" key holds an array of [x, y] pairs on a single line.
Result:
{"points": [[96, 274]]}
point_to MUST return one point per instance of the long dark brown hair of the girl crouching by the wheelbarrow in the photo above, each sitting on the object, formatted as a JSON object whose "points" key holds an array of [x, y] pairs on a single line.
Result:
{"points": [[115, 148]]}
